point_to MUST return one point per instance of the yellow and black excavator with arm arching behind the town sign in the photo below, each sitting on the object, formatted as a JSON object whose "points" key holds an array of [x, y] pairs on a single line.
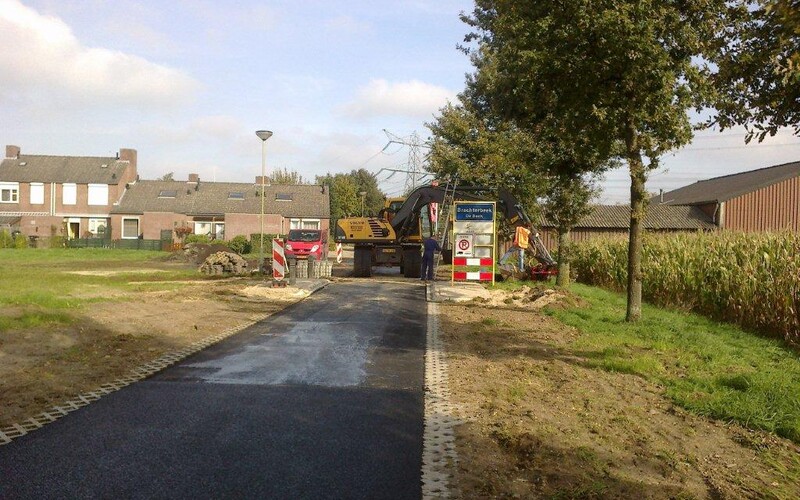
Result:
{"points": [[394, 238]]}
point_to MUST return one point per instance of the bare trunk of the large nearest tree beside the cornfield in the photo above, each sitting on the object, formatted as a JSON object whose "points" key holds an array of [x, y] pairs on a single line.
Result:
{"points": [[637, 173]]}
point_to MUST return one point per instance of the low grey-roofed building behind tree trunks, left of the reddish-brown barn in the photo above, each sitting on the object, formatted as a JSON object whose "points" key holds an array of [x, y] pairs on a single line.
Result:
{"points": [[614, 220]]}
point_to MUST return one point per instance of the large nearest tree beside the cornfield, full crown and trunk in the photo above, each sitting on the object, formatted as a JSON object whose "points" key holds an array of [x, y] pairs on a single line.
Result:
{"points": [[618, 76]]}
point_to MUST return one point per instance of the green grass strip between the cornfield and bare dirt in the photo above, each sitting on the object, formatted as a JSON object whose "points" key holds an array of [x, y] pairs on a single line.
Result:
{"points": [[709, 368]]}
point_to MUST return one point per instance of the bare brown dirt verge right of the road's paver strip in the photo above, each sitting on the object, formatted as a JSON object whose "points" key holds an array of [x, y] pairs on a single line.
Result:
{"points": [[539, 422]]}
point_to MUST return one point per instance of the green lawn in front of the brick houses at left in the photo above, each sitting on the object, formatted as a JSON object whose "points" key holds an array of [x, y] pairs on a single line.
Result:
{"points": [[39, 286]]}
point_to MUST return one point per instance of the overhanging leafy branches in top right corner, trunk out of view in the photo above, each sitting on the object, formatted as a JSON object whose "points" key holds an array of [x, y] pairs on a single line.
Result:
{"points": [[759, 69]]}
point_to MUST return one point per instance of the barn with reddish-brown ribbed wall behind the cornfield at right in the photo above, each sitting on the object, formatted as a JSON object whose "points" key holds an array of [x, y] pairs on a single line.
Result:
{"points": [[767, 199]]}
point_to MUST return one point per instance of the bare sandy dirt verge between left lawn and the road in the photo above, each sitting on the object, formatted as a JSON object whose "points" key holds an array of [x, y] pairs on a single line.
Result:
{"points": [[42, 367]]}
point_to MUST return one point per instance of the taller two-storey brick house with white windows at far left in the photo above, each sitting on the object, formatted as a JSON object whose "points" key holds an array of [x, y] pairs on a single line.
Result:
{"points": [[71, 196]]}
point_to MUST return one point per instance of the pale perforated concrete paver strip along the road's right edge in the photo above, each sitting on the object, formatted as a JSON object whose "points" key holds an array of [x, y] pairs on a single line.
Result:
{"points": [[439, 455]]}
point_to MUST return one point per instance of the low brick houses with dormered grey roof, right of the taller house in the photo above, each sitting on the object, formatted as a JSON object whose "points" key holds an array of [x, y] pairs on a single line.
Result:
{"points": [[221, 210]]}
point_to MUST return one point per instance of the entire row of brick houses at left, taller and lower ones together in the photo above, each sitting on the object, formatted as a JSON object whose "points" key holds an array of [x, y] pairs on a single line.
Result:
{"points": [[85, 197]]}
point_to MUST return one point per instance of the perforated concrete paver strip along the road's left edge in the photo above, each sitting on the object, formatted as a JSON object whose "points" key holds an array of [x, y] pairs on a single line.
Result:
{"points": [[141, 372]]}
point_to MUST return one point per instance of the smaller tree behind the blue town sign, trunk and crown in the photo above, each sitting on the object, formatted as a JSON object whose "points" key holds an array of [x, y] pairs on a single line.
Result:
{"points": [[486, 150]]}
